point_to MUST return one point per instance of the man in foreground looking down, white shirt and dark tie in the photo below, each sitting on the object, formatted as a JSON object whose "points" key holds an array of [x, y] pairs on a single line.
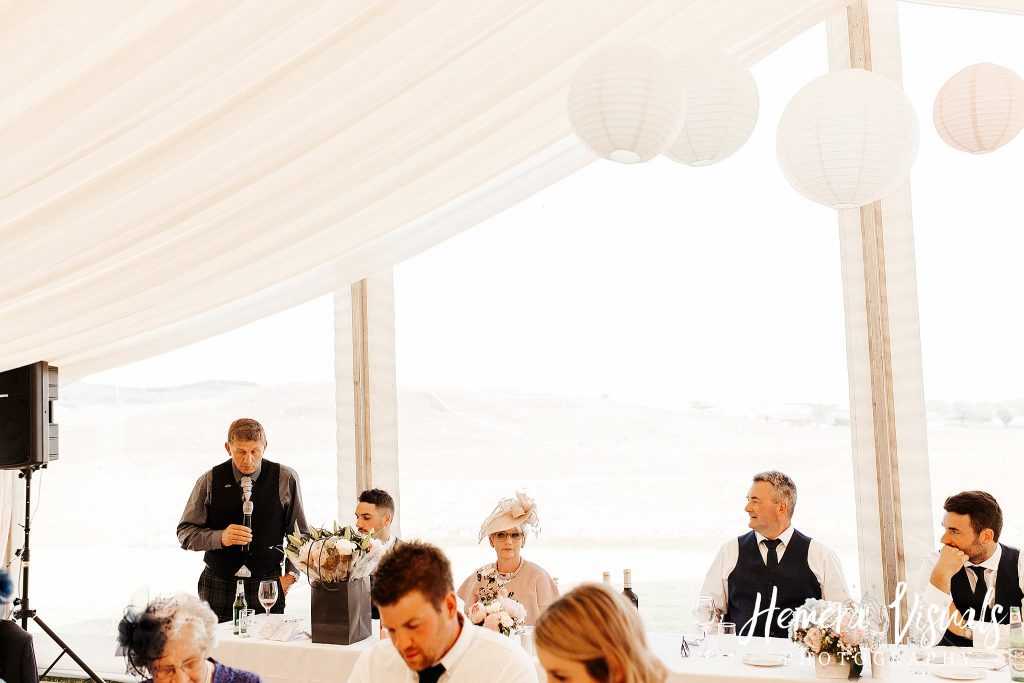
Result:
{"points": [[431, 641]]}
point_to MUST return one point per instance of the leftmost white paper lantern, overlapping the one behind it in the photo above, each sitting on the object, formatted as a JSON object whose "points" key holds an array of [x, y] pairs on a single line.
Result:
{"points": [[627, 103]]}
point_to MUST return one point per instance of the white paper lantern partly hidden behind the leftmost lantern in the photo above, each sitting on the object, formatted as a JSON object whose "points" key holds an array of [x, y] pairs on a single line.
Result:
{"points": [[721, 108]]}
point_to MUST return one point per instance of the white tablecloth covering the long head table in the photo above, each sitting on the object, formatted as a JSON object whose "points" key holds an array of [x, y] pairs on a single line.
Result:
{"points": [[304, 661]]}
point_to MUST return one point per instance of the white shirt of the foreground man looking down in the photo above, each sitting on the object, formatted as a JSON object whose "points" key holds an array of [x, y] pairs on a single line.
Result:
{"points": [[479, 655]]}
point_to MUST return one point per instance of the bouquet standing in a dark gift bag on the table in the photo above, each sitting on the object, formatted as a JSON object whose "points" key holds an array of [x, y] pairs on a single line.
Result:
{"points": [[338, 564]]}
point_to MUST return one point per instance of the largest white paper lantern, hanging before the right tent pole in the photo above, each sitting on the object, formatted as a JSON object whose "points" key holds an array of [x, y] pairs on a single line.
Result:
{"points": [[848, 139]]}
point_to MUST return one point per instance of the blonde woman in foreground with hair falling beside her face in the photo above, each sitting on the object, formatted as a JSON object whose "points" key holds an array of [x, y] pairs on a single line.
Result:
{"points": [[593, 635]]}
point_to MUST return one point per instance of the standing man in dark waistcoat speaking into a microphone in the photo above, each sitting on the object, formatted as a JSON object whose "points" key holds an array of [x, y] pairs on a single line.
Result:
{"points": [[212, 522]]}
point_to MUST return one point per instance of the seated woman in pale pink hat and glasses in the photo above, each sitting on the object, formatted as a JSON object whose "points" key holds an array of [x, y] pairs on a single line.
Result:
{"points": [[526, 582]]}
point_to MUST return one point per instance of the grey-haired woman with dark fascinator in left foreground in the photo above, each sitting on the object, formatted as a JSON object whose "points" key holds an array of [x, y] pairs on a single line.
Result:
{"points": [[170, 642]]}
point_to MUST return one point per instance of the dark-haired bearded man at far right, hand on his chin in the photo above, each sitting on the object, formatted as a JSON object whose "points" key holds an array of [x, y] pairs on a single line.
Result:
{"points": [[972, 581]]}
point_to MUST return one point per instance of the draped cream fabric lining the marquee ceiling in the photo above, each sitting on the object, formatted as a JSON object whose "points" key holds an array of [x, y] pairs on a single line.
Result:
{"points": [[173, 170]]}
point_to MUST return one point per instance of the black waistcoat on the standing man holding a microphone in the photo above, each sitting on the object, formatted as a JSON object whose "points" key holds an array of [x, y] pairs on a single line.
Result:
{"points": [[265, 558]]}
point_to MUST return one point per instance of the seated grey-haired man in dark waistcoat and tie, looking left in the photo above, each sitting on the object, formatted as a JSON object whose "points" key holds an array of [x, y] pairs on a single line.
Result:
{"points": [[758, 579]]}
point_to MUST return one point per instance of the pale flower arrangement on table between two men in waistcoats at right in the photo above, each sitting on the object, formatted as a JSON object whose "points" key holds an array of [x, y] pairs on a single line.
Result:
{"points": [[834, 635]]}
